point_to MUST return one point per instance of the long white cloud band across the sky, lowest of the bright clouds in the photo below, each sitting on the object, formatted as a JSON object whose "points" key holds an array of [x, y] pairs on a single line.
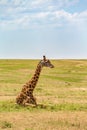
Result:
{"points": [[58, 18]]}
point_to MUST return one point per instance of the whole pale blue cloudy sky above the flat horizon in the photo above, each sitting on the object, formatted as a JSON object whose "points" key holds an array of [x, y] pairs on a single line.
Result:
{"points": [[30, 29]]}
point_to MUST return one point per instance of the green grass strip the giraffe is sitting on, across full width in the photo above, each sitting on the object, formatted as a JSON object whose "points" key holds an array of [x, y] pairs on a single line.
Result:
{"points": [[10, 106]]}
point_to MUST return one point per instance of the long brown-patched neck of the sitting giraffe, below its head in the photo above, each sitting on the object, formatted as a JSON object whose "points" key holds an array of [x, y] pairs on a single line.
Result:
{"points": [[36, 75]]}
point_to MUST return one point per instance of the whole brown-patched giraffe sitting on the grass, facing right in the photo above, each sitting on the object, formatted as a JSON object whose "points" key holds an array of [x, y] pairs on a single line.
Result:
{"points": [[26, 95]]}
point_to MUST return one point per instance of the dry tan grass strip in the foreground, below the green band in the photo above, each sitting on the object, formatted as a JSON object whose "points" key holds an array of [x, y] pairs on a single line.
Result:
{"points": [[45, 120]]}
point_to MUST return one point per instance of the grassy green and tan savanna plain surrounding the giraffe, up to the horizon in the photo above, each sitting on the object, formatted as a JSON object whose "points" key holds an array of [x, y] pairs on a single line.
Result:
{"points": [[61, 95]]}
